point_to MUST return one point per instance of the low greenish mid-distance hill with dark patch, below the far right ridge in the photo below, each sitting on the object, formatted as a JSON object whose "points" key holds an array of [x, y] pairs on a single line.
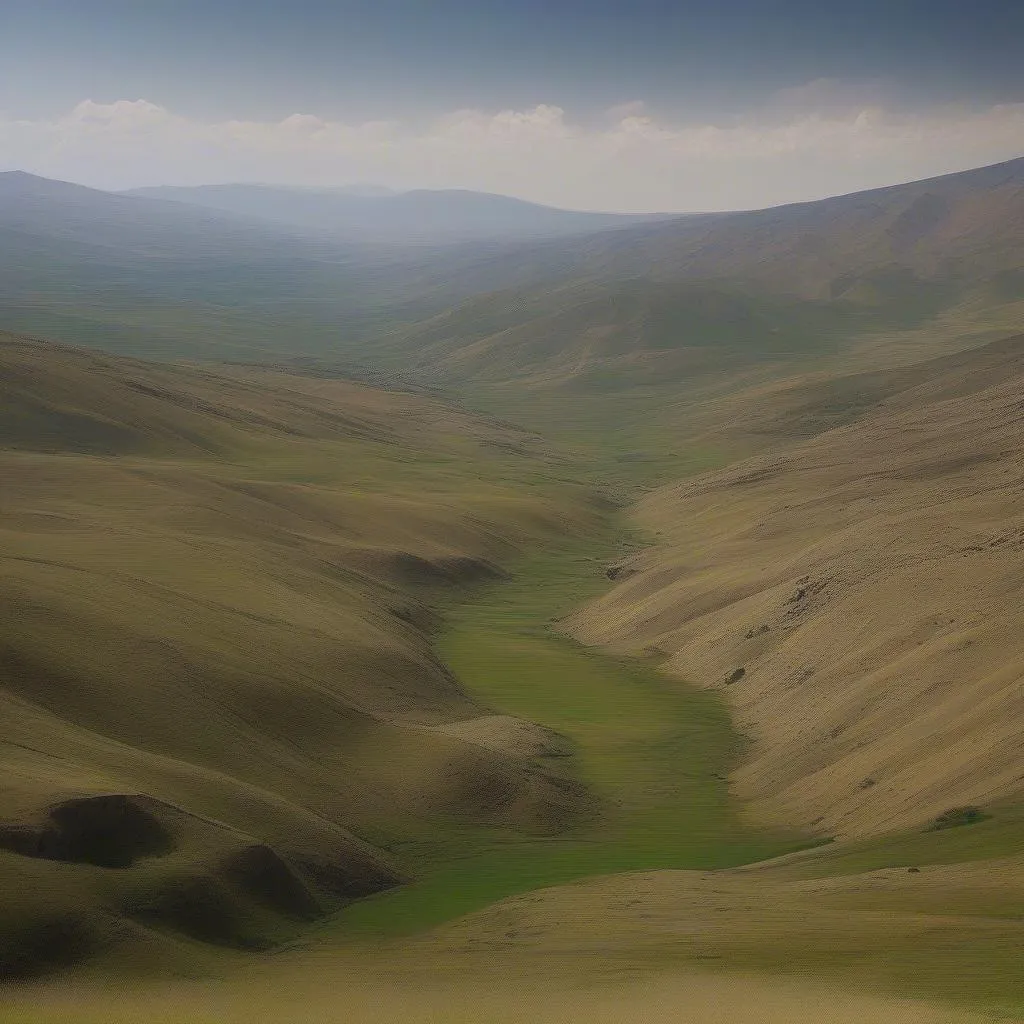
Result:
{"points": [[621, 335]]}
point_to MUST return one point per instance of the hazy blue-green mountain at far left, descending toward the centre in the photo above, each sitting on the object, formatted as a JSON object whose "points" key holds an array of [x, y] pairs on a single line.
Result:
{"points": [[149, 277]]}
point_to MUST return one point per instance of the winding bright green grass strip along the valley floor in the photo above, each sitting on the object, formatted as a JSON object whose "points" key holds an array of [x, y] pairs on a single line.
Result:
{"points": [[655, 753]]}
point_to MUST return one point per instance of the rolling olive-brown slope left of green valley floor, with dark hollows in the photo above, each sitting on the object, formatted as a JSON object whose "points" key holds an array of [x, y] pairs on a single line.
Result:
{"points": [[216, 663]]}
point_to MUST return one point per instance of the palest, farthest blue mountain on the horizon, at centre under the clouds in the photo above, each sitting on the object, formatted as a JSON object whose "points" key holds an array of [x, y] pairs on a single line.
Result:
{"points": [[358, 215]]}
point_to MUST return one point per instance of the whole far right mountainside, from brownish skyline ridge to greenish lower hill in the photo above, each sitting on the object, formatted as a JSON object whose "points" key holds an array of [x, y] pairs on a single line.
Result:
{"points": [[678, 300]]}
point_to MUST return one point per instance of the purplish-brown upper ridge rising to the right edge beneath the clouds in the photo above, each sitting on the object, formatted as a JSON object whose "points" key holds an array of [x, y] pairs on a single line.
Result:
{"points": [[961, 227]]}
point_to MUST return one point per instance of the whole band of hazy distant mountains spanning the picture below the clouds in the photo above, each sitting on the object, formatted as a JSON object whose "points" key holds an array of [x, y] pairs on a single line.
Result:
{"points": [[611, 307]]}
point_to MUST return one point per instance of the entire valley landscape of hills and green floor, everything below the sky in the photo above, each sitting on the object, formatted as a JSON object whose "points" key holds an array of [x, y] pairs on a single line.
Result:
{"points": [[511, 623]]}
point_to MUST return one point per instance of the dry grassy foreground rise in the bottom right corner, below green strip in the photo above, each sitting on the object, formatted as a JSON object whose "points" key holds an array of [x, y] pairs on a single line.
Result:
{"points": [[917, 916]]}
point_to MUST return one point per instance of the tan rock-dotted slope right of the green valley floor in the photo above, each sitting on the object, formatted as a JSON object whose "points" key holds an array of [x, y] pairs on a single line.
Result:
{"points": [[858, 595]]}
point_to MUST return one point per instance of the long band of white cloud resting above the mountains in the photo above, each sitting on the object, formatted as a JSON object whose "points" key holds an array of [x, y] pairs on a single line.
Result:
{"points": [[812, 142]]}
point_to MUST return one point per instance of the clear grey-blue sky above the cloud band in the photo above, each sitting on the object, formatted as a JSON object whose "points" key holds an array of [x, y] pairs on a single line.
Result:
{"points": [[377, 57]]}
